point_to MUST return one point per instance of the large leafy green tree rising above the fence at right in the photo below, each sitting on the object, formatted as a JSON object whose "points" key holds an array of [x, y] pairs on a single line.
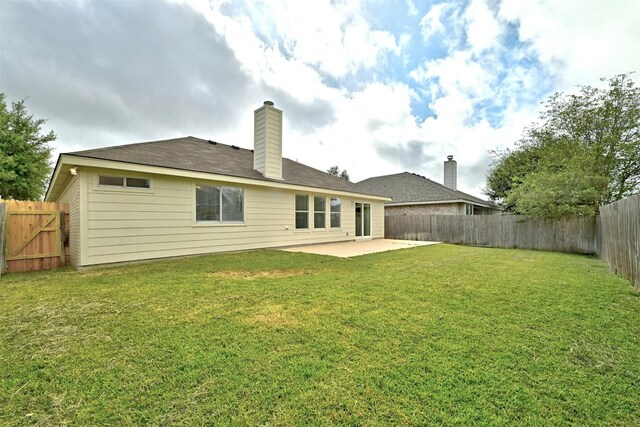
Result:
{"points": [[583, 153]]}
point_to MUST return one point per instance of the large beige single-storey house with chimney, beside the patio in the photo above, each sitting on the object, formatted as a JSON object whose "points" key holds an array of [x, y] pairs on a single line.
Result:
{"points": [[189, 196]]}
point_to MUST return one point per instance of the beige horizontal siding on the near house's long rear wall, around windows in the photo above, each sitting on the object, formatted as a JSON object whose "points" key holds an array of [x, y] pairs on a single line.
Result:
{"points": [[125, 225]]}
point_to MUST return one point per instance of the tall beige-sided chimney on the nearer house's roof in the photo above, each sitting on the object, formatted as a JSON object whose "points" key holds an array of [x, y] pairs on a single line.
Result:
{"points": [[267, 145]]}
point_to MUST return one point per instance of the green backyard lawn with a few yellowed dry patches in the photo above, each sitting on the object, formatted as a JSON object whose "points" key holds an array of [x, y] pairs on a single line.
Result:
{"points": [[438, 335]]}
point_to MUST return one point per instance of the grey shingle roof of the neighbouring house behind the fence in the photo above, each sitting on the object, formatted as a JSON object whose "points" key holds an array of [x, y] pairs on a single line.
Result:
{"points": [[408, 187]]}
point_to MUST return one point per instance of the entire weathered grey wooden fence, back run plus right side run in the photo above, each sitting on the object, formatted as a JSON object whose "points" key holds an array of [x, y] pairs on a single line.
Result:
{"points": [[614, 235]]}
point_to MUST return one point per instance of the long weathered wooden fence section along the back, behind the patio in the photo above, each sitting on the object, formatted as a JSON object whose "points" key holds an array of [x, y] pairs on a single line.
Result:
{"points": [[569, 234]]}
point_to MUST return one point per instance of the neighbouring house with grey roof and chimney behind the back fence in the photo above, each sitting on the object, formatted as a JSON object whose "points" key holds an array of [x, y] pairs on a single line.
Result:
{"points": [[414, 194]]}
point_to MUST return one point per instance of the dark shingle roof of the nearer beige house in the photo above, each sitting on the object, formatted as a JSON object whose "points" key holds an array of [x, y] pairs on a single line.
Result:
{"points": [[201, 155]]}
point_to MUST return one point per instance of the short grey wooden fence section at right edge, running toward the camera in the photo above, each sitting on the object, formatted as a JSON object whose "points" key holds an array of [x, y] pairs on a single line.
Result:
{"points": [[621, 237]]}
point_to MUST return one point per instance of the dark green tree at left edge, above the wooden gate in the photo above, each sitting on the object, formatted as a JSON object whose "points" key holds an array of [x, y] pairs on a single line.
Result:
{"points": [[24, 153]]}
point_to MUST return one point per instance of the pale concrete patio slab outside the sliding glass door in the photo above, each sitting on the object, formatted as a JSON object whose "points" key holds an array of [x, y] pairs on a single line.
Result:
{"points": [[357, 247]]}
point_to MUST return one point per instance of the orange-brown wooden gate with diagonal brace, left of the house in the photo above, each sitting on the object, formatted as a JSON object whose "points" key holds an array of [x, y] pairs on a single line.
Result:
{"points": [[35, 235]]}
